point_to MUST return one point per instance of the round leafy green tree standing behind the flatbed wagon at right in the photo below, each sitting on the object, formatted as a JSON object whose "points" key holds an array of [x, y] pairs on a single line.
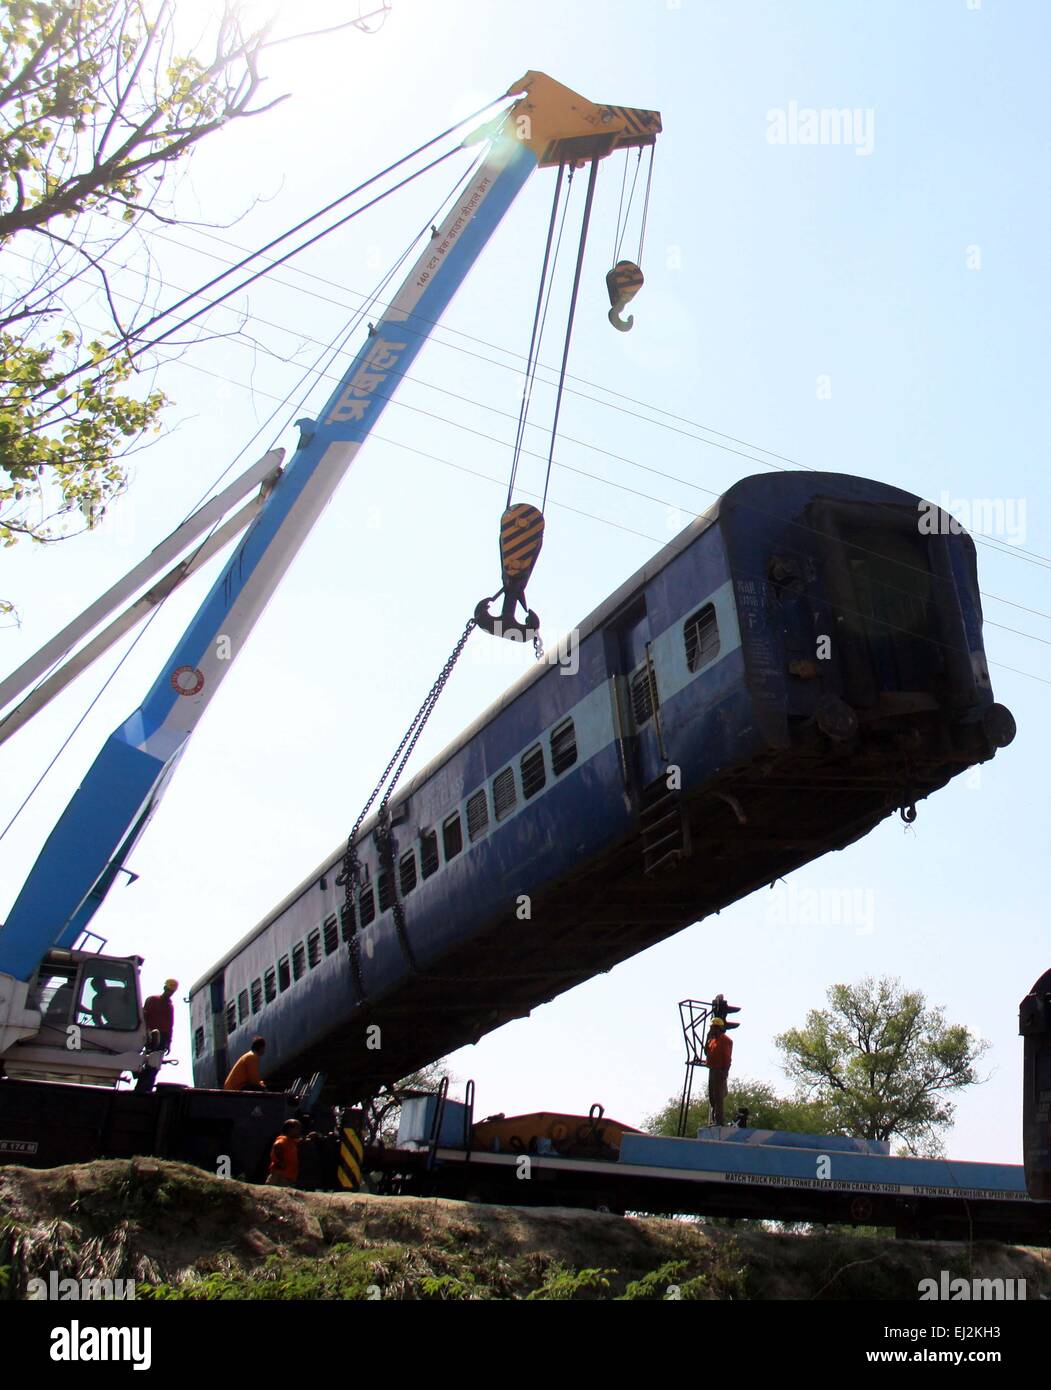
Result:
{"points": [[882, 1063]]}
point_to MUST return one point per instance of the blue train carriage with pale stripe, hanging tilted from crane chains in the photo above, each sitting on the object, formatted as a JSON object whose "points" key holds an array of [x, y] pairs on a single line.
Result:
{"points": [[800, 662]]}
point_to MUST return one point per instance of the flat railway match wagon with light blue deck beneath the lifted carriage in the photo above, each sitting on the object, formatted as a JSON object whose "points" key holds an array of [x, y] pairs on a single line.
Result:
{"points": [[724, 1172]]}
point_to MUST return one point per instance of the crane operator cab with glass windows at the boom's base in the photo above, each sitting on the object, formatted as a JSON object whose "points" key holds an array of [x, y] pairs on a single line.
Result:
{"points": [[91, 1027]]}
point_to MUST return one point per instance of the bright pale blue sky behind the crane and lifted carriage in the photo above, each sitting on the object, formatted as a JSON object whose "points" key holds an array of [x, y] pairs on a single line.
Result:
{"points": [[875, 306]]}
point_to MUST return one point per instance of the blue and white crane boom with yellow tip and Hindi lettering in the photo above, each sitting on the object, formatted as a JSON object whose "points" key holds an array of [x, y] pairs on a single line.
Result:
{"points": [[547, 124]]}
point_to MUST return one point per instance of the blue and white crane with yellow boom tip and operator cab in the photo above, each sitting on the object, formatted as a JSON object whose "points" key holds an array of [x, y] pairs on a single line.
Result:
{"points": [[76, 1015]]}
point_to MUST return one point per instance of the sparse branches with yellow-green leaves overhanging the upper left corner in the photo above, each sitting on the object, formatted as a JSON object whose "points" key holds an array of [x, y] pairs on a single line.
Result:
{"points": [[98, 105]]}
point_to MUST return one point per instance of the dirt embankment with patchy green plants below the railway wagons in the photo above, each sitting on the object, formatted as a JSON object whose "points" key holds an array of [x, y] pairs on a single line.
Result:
{"points": [[194, 1236]]}
